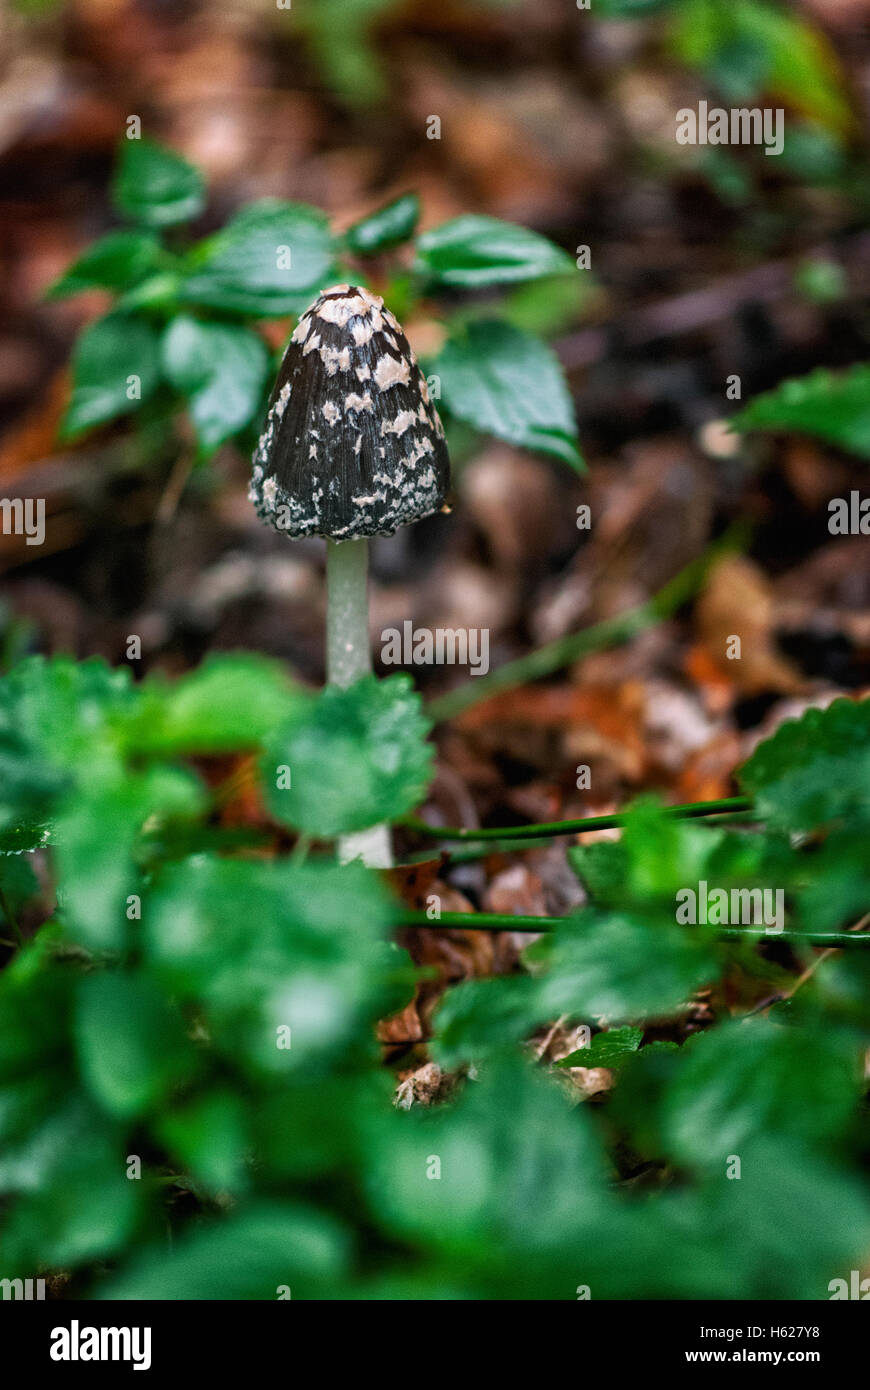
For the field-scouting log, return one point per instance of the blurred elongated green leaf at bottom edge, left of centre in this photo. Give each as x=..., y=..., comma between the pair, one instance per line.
x=249, y=1257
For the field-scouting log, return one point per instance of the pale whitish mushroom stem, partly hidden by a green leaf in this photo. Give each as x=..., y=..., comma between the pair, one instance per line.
x=348, y=661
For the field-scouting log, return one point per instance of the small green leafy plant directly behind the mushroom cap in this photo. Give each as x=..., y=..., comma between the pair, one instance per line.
x=183, y=332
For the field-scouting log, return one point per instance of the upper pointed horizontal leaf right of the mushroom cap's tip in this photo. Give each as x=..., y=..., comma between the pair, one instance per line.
x=473, y=251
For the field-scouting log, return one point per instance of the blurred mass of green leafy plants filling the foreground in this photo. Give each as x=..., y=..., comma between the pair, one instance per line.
x=191, y=1100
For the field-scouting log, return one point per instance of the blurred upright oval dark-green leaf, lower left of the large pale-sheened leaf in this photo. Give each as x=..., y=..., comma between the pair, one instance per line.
x=130, y=1043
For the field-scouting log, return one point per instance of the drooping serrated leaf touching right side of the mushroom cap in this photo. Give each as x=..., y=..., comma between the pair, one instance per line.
x=509, y=384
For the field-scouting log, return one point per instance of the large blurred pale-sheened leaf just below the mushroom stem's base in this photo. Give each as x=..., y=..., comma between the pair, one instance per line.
x=263, y=949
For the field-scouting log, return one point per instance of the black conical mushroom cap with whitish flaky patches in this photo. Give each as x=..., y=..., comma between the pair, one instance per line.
x=352, y=444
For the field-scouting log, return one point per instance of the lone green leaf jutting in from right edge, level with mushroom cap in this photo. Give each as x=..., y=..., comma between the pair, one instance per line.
x=830, y=405
